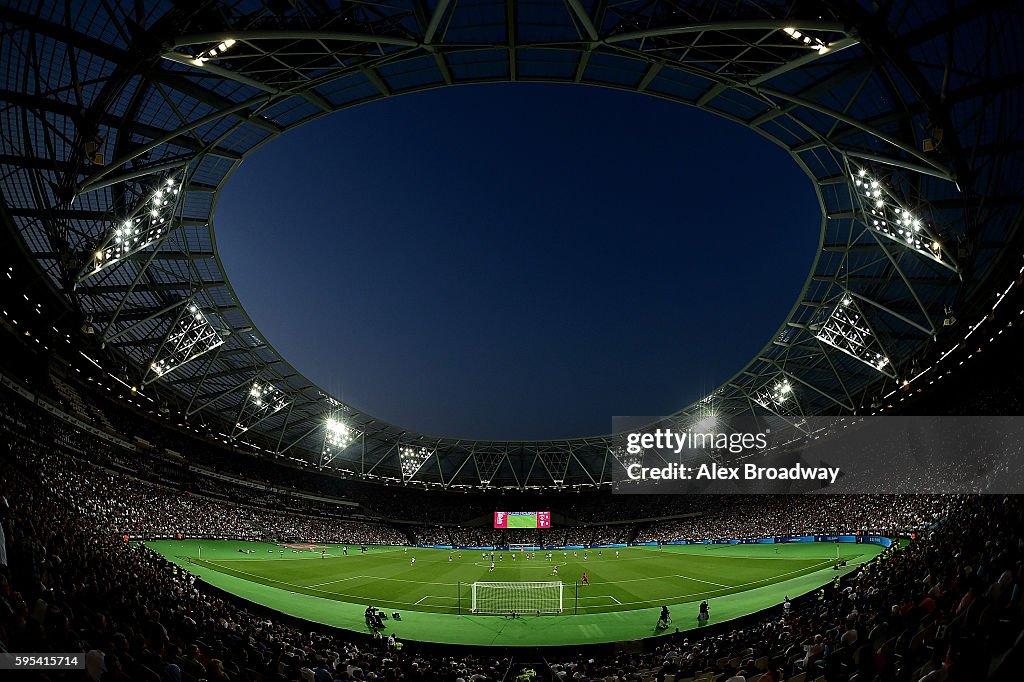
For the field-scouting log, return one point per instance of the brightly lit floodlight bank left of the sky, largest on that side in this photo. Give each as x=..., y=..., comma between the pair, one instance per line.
x=147, y=224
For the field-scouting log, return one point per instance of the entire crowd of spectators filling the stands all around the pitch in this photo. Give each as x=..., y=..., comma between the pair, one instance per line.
x=946, y=609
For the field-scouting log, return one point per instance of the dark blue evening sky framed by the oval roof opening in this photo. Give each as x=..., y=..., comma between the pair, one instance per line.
x=519, y=262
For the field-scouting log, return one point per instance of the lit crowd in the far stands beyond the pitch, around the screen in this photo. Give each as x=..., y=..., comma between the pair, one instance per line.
x=178, y=499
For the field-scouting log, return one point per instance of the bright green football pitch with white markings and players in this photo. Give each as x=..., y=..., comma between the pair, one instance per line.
x=434, y=595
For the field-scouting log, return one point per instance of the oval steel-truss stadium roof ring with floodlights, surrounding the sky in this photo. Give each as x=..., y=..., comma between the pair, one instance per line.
x=121, y=122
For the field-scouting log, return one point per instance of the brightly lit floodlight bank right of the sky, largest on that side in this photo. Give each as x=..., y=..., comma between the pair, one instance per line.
x=886, y=216
